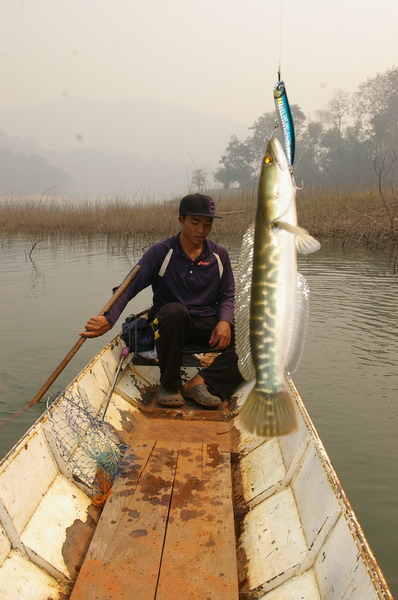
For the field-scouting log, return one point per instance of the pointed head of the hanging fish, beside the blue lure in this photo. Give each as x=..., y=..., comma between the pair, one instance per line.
x=275, y=188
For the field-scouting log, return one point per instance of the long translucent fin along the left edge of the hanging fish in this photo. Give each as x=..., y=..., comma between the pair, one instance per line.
x=242, y=306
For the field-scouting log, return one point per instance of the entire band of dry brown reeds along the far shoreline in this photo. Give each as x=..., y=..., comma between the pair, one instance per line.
x=369, y=217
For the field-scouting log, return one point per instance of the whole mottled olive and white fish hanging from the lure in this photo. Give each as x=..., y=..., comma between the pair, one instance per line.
x=272, y=299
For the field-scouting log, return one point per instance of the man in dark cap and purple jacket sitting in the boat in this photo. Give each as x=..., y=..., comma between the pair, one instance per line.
x=193, y=296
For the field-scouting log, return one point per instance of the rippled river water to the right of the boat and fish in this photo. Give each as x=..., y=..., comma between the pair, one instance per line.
x=348, y=379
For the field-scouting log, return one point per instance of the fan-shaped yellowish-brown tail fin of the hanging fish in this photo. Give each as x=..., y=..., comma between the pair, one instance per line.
x=268, y=414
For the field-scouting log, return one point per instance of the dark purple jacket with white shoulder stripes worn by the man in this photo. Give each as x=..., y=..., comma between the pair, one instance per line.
x=205, y=286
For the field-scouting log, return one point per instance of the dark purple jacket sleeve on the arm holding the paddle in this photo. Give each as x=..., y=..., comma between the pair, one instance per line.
x=150, y=264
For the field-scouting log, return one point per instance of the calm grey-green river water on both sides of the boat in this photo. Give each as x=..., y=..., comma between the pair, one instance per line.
x=348, y=377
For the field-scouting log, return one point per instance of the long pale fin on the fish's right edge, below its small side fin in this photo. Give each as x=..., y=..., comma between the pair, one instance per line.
x=301, y=312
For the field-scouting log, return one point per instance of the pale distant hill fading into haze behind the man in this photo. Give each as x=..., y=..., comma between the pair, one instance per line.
x=120, y=146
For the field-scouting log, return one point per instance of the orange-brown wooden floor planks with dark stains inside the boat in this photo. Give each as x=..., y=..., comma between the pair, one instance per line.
x=167, y=530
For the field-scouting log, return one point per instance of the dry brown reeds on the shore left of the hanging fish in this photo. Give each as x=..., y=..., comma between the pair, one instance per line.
x=116, y=217
